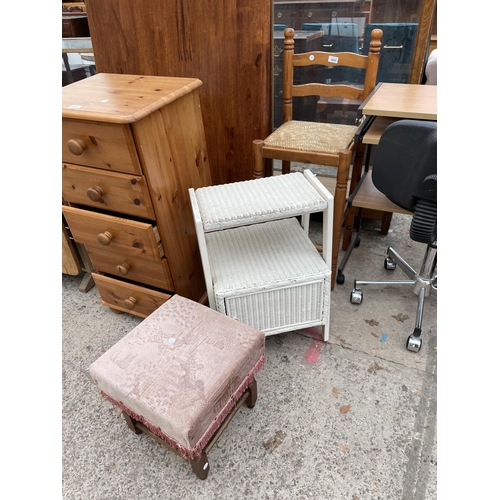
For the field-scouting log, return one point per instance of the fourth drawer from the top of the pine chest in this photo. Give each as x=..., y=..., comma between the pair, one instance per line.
x=156, y=274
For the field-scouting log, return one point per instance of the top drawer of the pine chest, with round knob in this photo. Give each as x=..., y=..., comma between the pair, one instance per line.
x=108, y=146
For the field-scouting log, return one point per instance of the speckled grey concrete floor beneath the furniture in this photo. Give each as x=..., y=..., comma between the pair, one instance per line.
x=351, y=419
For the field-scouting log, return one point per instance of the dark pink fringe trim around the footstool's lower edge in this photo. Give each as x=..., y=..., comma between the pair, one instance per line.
x=187, y=453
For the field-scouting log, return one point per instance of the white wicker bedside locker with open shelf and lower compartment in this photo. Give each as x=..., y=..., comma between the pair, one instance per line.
x=260, y=266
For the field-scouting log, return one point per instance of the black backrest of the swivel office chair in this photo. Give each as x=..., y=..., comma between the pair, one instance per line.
x=405, y=163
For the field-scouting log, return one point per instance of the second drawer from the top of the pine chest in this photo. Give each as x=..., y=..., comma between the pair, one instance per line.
x=112, y=191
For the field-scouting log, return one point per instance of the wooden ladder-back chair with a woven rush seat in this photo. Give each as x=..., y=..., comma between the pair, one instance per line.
x=320, y=143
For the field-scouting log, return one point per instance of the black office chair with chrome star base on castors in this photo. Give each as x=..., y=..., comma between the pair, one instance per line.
x=405, y=170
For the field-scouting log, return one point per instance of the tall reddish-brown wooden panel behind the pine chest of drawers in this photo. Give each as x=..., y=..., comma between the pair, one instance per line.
x=226, y=44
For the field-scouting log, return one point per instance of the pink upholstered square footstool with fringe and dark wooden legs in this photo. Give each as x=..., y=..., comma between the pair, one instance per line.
x=181, y=375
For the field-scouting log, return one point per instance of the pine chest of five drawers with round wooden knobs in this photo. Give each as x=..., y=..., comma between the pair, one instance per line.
x=132, y=146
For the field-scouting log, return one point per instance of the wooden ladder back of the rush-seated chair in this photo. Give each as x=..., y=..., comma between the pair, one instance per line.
x=317, y=59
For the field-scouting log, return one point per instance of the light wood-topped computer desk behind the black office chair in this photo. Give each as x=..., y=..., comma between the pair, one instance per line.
x=387, y=103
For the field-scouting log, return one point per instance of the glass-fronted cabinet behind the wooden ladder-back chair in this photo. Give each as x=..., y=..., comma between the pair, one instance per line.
x=344, y=26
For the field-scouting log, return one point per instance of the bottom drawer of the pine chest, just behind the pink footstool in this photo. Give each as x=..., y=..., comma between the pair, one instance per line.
x=125, y=297
